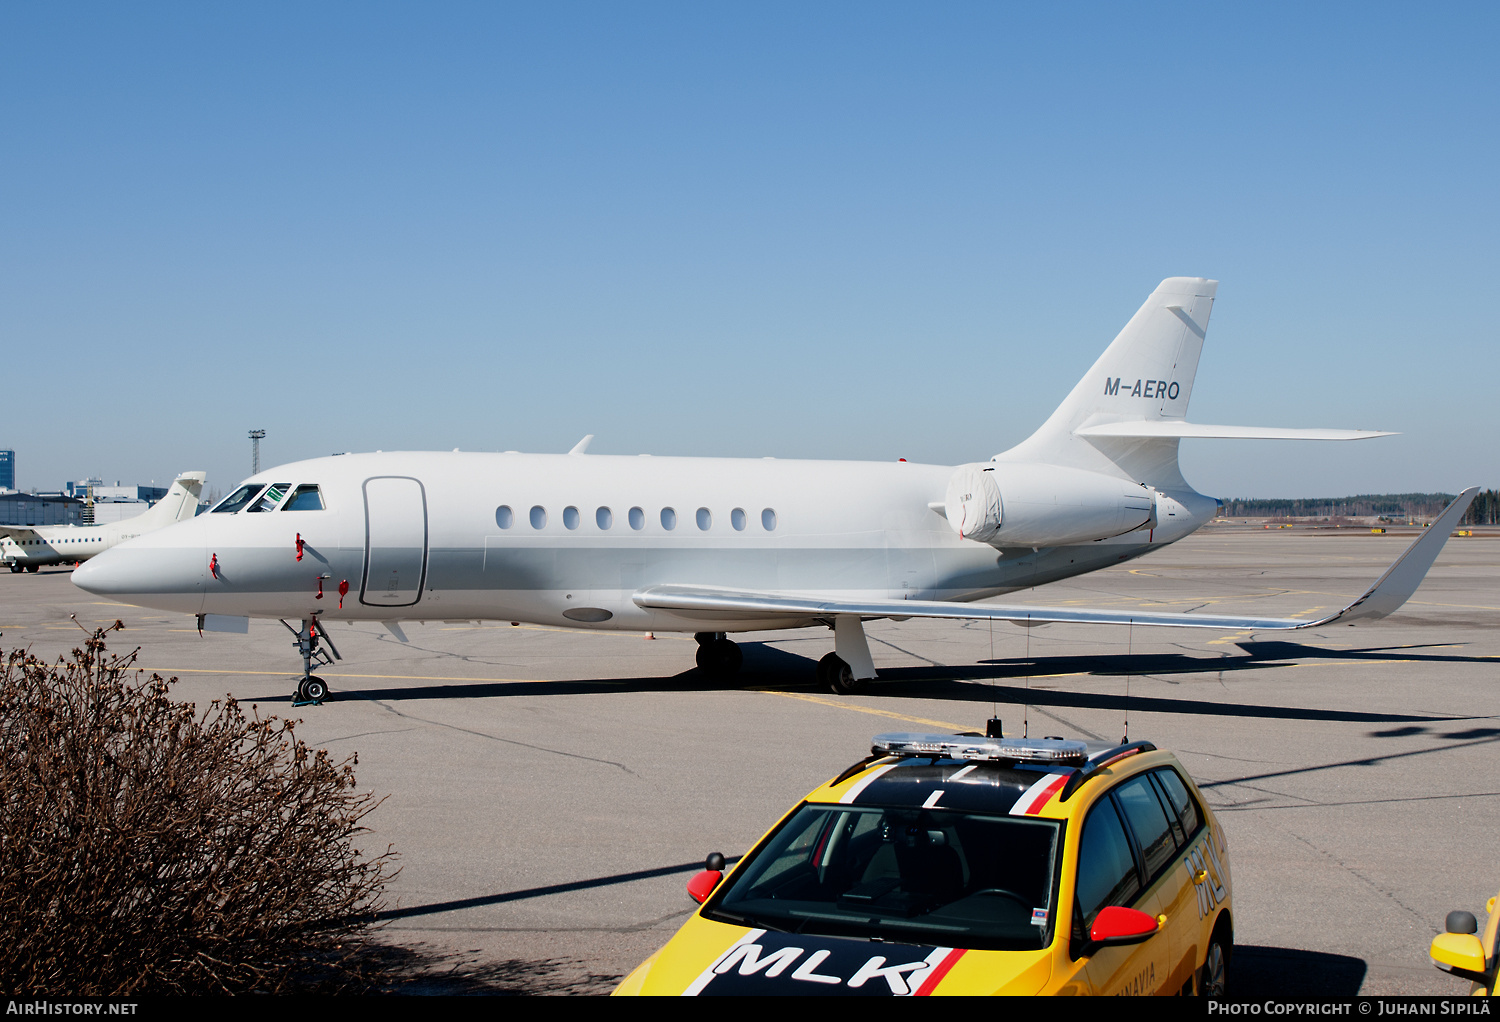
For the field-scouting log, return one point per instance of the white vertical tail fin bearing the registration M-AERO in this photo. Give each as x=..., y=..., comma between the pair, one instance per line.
x=1144, y=377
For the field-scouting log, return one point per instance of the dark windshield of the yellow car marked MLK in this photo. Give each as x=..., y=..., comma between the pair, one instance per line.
x=917, y=876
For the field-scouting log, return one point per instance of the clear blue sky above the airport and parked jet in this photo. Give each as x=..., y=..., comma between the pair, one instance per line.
x=820, y=230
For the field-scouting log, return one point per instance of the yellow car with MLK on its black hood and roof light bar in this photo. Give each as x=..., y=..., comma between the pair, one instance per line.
x=970, y=865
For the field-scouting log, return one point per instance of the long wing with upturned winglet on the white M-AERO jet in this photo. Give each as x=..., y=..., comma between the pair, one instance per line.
x=1381, y=600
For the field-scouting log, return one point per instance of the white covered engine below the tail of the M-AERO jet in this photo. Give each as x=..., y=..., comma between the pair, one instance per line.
x=1027, y=505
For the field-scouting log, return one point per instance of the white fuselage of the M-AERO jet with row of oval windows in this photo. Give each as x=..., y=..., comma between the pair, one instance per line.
x=569, y=540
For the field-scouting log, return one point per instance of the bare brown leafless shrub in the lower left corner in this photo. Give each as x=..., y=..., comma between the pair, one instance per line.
x=149, y=850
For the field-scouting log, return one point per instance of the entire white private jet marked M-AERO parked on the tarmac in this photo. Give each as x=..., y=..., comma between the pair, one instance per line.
x=727, y=546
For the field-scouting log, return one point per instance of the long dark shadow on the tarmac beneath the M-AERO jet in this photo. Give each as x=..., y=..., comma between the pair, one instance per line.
x=775, y=669
